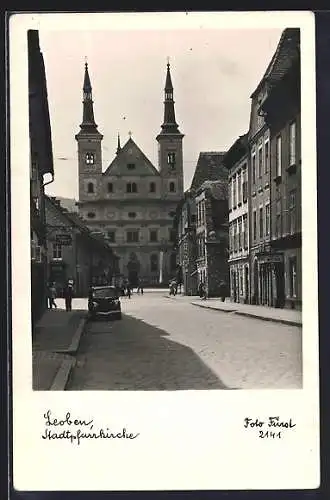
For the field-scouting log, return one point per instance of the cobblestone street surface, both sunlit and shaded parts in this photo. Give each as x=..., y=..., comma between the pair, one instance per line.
x=166, y=344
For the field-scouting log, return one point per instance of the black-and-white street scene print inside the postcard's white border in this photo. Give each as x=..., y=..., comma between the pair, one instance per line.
x=166, y=210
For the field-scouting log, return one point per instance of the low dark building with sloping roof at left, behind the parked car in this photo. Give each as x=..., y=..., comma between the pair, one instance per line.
x=75, y=253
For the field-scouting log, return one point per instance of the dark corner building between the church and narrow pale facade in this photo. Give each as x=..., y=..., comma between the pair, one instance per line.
x=212, y=236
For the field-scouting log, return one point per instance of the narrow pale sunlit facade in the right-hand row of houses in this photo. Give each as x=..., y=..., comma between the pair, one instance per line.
x=236, y=161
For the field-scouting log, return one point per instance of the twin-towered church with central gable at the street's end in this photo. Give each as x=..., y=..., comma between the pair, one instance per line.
x=131, y=202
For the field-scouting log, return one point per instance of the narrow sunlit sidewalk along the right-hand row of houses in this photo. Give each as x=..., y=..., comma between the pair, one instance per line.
x=285, y=316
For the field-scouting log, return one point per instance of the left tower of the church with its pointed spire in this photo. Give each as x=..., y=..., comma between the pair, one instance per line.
x=89, y=148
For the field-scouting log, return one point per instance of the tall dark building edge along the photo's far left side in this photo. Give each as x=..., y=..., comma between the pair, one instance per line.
x=41, y=167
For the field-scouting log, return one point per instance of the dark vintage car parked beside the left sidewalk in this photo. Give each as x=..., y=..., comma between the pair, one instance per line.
x=104, y=302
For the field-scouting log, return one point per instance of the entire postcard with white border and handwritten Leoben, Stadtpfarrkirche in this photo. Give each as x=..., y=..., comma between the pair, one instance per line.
x=163, y=171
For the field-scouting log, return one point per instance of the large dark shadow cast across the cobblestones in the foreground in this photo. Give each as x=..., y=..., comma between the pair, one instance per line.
x=133, y=355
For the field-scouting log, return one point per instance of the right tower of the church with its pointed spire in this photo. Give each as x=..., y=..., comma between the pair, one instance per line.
x=170, y=154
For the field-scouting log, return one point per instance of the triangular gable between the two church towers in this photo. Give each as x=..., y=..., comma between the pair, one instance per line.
x=131, y=161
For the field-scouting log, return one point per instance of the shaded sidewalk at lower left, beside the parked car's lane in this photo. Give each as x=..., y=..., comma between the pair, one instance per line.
x=56, y=338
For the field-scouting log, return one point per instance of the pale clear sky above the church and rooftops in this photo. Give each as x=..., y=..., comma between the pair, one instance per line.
x=213, y=72
